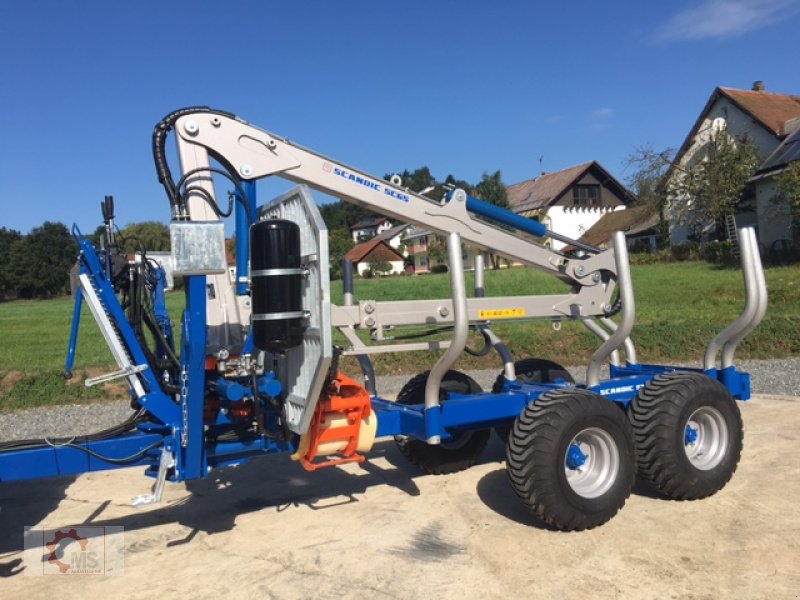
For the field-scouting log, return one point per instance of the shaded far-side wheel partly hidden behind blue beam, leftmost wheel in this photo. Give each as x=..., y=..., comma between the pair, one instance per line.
x=451, y=456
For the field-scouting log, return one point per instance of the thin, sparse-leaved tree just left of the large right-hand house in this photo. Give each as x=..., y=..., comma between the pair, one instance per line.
x=649, y=183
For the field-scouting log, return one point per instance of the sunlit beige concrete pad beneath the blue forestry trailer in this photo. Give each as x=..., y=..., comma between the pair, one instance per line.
x=269, y=529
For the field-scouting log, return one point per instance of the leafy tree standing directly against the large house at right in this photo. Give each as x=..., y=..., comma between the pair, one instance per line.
x=714, y=186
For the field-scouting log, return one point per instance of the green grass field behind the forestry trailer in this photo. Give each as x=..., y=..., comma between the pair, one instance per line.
x=680, y=307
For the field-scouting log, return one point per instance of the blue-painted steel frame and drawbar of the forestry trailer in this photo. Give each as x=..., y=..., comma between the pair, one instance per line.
x=177, y=425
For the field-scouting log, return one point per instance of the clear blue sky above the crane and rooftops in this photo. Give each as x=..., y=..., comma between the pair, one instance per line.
x=463, y=87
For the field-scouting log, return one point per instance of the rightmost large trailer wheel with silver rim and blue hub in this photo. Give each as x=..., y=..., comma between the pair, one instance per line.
x=688, y=434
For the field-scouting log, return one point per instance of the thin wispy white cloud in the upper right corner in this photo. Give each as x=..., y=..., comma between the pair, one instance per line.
x=724, y=18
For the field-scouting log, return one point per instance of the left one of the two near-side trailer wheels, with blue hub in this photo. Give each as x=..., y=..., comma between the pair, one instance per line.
x=570, y=459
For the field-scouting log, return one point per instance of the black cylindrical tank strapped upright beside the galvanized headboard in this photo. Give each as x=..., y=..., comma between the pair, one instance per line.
x=276, y=277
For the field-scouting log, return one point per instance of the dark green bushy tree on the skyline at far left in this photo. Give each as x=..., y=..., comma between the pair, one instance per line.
x=40, y=261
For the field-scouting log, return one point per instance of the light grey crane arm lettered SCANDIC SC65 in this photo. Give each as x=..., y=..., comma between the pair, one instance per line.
x=253, y=153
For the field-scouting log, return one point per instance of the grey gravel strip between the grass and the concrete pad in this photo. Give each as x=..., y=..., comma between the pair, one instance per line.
x=775, y=377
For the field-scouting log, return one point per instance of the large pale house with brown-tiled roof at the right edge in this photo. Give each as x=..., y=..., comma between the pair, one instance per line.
x=767, y=120
